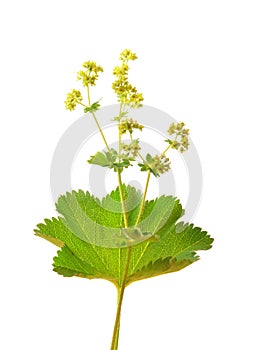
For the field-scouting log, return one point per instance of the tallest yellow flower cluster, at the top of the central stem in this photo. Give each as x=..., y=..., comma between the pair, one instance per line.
x=126, y=93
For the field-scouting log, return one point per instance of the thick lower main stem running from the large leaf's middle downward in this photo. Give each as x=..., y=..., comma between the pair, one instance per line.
x=114, y=343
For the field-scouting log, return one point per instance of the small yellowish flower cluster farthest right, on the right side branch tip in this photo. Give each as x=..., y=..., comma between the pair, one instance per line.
x=181, y=140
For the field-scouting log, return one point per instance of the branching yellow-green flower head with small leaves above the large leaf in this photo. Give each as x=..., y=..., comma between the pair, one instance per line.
x=128, y=98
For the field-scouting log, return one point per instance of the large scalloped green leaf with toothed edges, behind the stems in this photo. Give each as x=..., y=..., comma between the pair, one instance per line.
x=94, y=243
